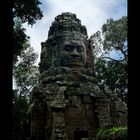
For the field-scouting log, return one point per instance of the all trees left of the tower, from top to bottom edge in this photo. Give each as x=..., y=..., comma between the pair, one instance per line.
x=25, y=73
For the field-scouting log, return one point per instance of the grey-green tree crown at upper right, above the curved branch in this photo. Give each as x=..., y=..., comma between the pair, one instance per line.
x=115, y=34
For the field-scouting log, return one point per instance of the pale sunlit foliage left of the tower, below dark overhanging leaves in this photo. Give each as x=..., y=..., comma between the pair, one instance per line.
x=25, y=72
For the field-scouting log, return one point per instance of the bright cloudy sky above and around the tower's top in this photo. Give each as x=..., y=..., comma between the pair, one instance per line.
x=92, y=13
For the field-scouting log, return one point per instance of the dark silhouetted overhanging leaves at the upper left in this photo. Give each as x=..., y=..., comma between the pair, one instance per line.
x=23, y=11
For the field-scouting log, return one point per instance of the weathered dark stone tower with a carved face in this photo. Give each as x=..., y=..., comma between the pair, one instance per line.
x=67, y=104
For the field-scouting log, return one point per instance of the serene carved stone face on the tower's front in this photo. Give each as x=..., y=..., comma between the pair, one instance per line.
x=73, y=54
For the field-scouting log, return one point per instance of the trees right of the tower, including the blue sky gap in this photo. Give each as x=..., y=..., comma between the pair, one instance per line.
x=111, y=71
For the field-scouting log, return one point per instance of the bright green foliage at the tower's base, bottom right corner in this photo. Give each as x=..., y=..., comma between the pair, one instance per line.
x=114, y=133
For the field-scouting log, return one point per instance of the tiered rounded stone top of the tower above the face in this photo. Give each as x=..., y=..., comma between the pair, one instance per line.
x=67, y=23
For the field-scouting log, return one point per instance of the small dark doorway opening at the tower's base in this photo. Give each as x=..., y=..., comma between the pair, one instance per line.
x=80, y=134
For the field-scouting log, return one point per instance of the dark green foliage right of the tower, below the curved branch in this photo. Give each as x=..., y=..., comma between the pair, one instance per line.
x=114, y=76
